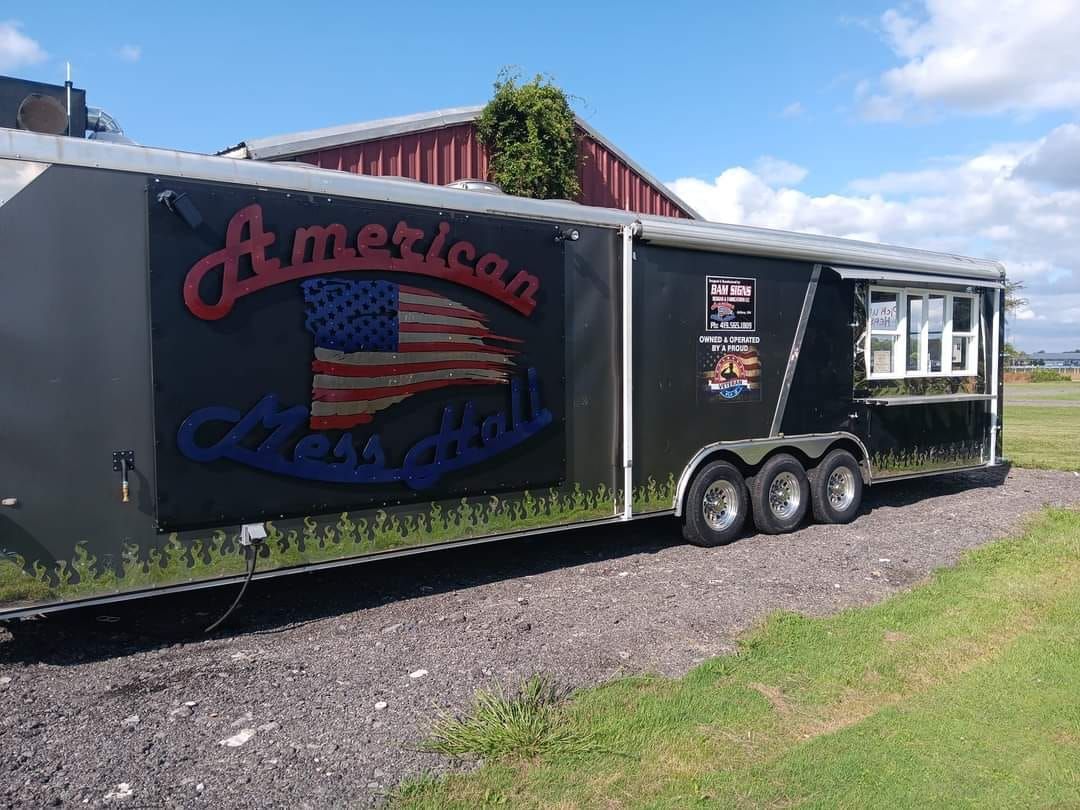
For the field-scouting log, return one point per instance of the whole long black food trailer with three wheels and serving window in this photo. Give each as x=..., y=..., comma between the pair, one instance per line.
x=199, y=352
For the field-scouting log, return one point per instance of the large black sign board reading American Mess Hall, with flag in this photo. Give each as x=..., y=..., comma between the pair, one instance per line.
x=316, y=355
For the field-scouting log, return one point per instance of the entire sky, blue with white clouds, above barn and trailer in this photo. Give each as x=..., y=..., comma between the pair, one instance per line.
x=871, y=119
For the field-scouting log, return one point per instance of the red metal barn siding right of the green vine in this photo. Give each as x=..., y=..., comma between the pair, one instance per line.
x=609, y=182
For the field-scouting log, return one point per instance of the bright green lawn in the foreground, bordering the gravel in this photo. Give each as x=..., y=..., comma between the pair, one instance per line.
x=962, y=693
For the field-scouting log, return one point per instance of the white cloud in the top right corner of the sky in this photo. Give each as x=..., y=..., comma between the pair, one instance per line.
x=979, y=57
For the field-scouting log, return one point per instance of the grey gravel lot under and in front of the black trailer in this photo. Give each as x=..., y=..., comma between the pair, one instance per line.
x=320, y=690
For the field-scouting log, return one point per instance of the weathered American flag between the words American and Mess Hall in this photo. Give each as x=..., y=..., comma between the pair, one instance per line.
x=379, y=343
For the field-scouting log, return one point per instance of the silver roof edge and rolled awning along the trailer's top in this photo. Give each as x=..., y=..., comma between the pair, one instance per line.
x=21, y=145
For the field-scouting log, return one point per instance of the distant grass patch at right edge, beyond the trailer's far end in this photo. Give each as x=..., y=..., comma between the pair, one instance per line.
x=1043, y=438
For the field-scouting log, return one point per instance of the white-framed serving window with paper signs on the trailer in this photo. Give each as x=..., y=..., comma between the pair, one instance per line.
x=922, y=333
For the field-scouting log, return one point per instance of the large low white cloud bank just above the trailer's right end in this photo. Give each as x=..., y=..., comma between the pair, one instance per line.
x=984, y=206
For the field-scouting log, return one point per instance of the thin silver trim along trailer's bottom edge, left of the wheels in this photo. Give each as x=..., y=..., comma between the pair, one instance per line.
x=307, y=569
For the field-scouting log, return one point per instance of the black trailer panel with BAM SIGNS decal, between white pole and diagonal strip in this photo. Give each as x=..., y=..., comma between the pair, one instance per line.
x=712, y=337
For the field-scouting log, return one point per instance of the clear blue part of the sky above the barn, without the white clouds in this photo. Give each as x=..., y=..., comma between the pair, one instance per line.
x=686, y=93
